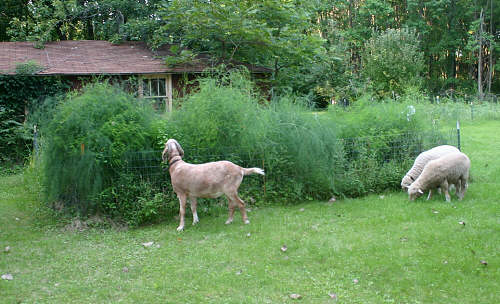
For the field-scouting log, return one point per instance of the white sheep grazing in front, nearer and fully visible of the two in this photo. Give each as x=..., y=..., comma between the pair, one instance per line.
x=452, y=168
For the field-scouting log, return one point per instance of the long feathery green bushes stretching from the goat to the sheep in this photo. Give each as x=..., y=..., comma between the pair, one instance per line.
x=347, y=152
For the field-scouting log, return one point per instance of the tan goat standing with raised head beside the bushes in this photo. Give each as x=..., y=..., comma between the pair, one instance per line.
x=209, y=180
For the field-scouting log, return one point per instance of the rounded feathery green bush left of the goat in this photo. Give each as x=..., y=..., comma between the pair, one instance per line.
x=85, y=143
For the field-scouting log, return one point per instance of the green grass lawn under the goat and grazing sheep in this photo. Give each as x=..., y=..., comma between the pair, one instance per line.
x=377, y=249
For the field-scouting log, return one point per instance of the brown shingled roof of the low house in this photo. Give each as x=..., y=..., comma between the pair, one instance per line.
x=94, y=57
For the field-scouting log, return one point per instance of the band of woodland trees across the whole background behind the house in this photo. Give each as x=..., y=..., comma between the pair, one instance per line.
x=316, y=48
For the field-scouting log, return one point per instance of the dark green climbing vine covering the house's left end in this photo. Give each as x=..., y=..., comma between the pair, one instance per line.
x=20, y=94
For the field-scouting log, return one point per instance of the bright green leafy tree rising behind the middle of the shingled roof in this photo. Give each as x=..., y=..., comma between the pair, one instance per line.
x=274, y=33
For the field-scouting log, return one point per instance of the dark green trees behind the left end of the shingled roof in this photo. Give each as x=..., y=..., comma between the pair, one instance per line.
x=50, y=20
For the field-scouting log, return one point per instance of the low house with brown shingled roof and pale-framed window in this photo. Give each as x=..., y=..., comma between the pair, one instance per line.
x=78, y=60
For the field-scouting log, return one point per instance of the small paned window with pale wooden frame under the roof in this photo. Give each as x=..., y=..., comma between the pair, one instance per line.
x=158, y=89
